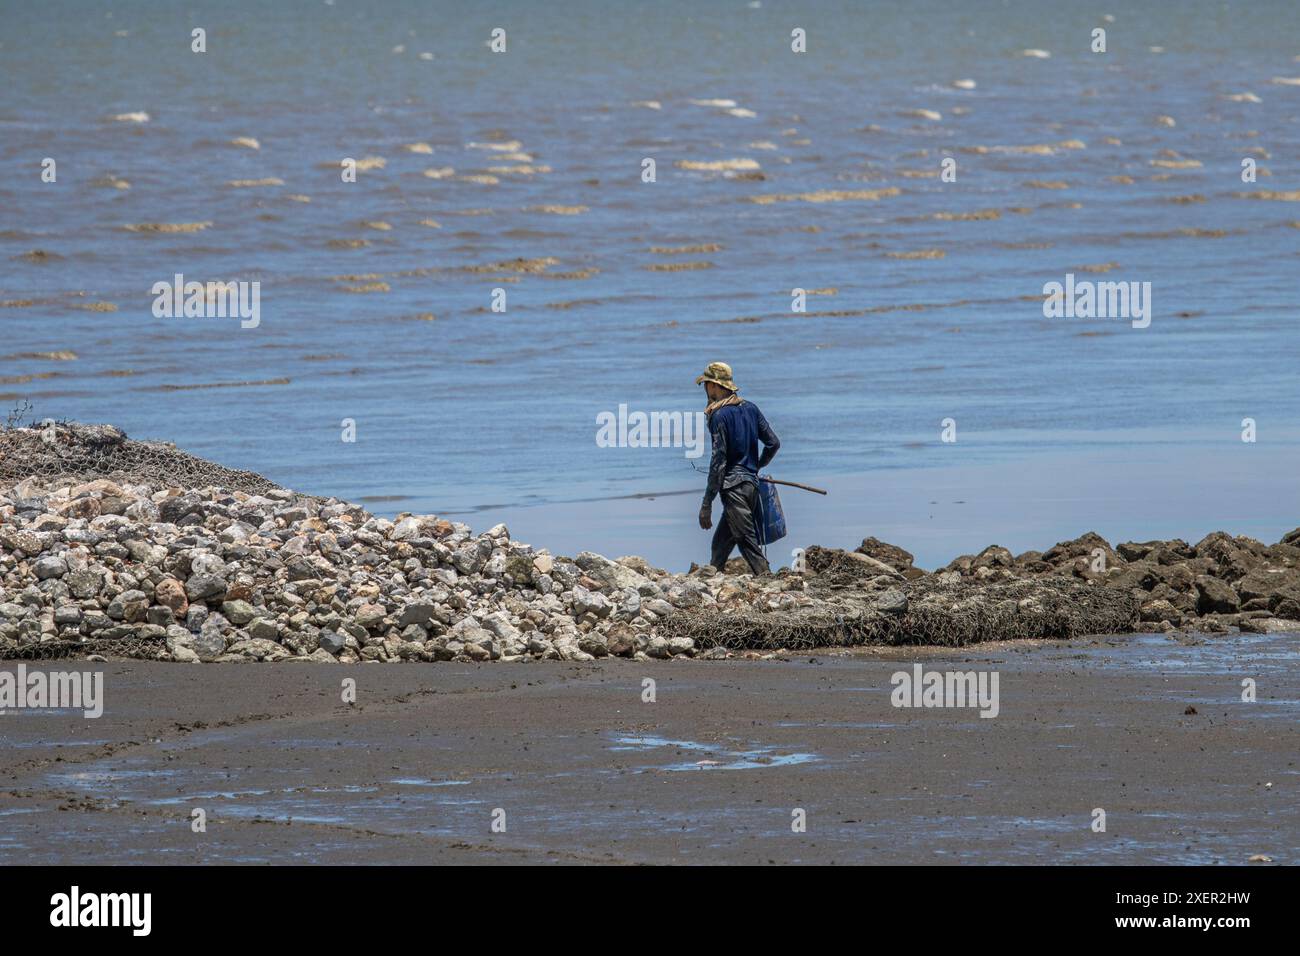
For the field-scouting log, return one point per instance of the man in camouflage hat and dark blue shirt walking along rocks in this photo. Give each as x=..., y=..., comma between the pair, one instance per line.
x=736, y=427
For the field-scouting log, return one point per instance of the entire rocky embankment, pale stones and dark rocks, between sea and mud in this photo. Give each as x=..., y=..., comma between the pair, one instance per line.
x=149, y=552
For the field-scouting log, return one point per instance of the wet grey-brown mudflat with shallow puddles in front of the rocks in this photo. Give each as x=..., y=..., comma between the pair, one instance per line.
x=586, y=772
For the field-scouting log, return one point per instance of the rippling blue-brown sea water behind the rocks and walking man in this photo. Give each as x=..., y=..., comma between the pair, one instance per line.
x=461, y=410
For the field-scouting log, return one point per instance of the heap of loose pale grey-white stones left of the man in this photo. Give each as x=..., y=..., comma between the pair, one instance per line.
x=226, y=576
